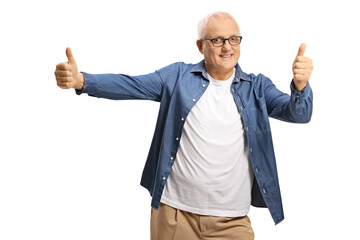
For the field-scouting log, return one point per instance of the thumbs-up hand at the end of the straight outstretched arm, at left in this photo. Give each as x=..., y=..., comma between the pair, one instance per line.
x=67, y=74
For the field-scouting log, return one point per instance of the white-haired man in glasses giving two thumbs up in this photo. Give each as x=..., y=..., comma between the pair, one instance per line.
x=212, y=155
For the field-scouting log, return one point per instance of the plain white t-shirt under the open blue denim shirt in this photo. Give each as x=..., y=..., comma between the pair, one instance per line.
x=212, y=174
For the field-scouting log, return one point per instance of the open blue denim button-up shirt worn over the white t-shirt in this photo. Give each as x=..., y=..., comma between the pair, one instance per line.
x=178, y=87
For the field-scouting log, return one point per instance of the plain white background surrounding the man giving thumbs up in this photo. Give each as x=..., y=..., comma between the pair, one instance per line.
x=70, y=166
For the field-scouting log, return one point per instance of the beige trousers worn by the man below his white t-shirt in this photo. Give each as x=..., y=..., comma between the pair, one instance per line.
x=169, y=223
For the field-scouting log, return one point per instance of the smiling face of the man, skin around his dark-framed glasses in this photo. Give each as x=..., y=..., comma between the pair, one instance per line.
x=220, y=61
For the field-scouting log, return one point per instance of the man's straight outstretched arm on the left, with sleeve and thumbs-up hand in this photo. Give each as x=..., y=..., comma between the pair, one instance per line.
x=111, y=86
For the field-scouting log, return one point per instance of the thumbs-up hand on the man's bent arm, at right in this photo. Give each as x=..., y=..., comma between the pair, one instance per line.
x=302, y=68
